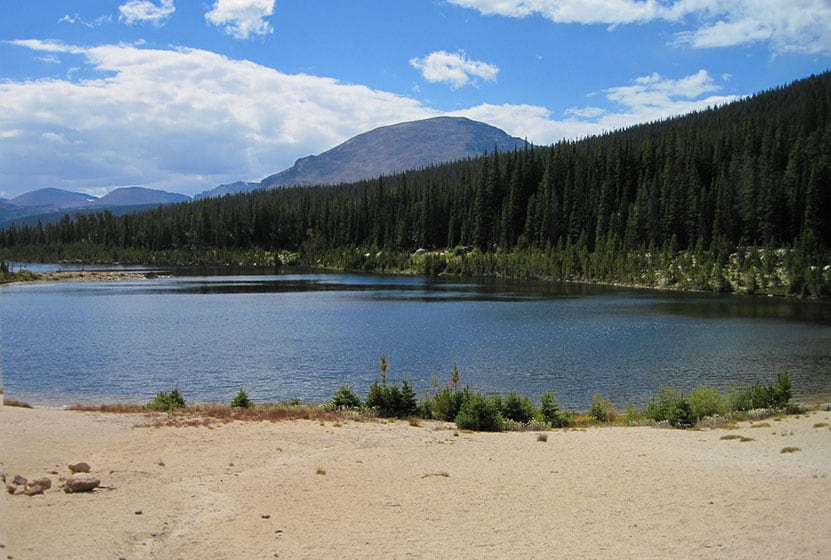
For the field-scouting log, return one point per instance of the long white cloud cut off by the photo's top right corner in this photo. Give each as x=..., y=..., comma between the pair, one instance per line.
x=801, y=26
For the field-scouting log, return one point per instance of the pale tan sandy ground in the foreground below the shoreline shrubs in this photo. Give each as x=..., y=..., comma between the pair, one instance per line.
x=303, y=489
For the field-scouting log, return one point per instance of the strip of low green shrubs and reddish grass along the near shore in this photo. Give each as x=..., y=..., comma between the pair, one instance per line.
x=471, y=409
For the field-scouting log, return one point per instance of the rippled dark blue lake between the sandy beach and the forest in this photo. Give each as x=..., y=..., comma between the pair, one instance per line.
x=286, y=336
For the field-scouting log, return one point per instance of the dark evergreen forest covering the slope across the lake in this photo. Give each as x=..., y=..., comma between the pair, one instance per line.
x=733, y=198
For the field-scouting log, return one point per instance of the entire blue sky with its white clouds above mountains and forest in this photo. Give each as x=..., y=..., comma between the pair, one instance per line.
x=184, y=96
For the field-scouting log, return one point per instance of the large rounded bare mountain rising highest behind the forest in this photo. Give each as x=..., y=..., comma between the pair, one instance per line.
x=394, y=148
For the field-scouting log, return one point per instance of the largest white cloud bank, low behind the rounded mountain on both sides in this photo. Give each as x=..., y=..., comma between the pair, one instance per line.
x=187, y=120
